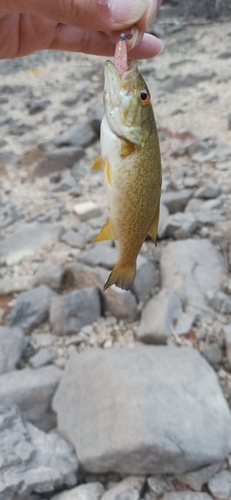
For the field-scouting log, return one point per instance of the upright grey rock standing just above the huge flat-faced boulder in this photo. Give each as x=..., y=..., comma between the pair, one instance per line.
x=159, y=317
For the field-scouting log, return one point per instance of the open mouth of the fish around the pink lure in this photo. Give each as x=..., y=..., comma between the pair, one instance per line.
x=114, y=81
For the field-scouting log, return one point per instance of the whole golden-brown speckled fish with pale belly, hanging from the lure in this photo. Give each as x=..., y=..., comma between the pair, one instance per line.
x=130, y=159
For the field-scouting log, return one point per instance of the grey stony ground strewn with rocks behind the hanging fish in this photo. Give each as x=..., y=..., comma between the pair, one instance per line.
x=146, y=421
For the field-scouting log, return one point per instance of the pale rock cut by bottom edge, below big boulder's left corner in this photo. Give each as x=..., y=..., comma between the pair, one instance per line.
x=90, y=491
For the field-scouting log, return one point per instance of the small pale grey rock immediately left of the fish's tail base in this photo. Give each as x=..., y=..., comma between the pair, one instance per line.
x=101, y=254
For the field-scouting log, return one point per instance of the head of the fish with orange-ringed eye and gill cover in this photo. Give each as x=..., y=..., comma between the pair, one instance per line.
x=127, y=103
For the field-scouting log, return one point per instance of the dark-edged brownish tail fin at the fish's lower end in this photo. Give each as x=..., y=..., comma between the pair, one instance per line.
x=121, y=276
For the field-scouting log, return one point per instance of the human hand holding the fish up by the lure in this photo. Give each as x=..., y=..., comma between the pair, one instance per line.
x=89, y=26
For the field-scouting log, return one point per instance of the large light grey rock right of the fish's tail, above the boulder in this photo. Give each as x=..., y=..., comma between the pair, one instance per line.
x=191, y=268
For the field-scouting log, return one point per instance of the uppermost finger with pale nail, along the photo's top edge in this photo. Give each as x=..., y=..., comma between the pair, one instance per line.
x=104, y=15
